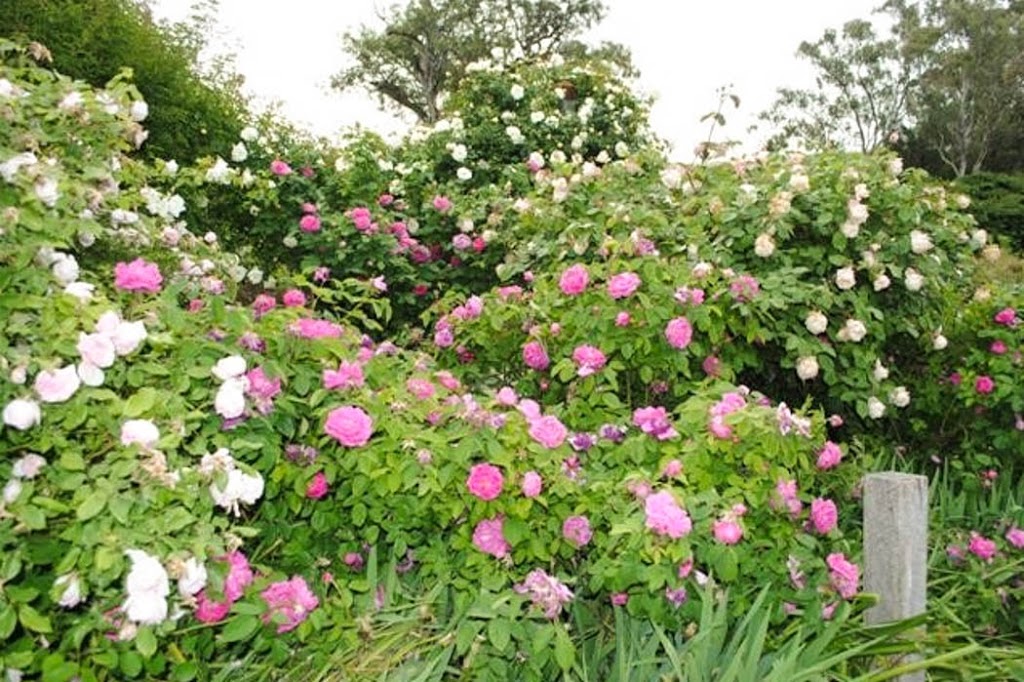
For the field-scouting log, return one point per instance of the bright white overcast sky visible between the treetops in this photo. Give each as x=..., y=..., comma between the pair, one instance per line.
x=686, y=51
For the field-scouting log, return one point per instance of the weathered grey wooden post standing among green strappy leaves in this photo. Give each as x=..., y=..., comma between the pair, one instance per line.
x=897, y=548
